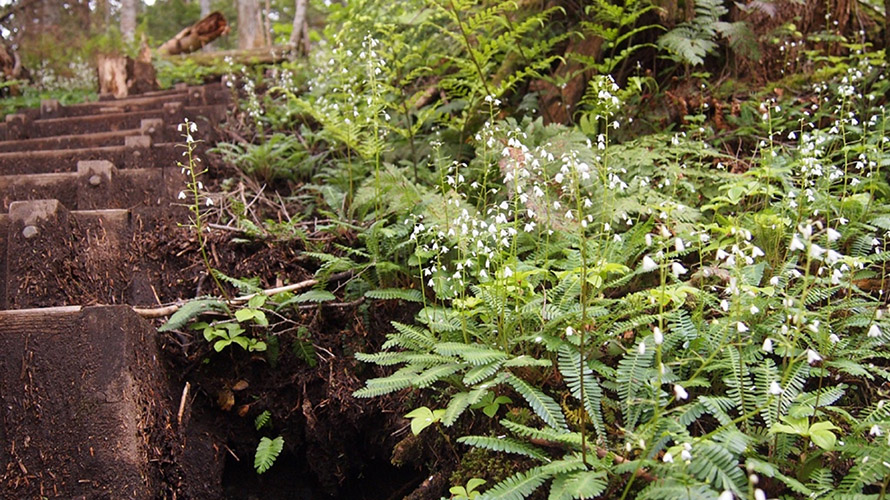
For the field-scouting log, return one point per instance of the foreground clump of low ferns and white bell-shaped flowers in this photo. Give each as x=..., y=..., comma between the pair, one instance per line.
x=666, y=350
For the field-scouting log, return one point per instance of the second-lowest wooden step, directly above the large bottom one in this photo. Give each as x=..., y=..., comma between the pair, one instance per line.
x=53, y=254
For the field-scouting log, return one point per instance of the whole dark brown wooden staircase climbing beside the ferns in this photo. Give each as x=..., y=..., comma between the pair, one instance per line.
x=86, y=409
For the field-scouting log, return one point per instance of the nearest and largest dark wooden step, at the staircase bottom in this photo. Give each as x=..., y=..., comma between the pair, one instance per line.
x=85, y=411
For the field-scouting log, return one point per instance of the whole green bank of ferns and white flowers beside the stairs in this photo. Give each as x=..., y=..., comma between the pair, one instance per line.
x=678, y=322
